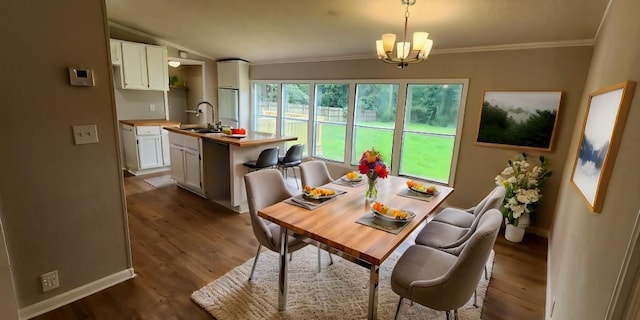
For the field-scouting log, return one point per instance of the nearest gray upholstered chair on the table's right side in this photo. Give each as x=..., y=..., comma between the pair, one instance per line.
x=443, y=281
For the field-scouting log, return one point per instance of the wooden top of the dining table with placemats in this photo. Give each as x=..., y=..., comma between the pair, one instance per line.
x=334, y=224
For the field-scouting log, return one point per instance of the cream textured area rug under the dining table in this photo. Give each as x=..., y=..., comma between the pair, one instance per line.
x=338, y=291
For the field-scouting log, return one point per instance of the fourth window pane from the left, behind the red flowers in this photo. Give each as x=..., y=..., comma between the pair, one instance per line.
x=374, y=119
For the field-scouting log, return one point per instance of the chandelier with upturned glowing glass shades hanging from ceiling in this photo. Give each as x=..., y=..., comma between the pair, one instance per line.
x=405, y=53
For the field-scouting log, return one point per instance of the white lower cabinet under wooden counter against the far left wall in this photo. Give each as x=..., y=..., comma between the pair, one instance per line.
x=143, y=149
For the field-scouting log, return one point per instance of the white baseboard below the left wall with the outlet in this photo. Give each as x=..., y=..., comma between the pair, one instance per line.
x=62, y=299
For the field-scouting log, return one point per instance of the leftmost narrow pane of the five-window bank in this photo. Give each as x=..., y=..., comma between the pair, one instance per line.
x=265, y=99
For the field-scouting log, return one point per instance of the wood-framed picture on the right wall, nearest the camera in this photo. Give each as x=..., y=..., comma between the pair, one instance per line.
x=601, y=134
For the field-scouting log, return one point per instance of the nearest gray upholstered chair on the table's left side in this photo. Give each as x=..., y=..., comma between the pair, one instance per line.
x=264, y=188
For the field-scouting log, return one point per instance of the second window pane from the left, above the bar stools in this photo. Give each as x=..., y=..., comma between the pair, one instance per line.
x=295, y=111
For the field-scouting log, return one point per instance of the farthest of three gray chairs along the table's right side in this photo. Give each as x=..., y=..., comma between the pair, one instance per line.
x=465, y=217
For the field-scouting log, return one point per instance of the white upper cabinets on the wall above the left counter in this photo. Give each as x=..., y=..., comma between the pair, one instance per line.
x=143, y=67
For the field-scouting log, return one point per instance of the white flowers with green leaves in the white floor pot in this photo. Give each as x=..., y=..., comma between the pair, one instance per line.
x=523, y=183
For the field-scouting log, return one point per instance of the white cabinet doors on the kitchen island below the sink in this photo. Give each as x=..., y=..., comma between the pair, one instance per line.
x=186, y=161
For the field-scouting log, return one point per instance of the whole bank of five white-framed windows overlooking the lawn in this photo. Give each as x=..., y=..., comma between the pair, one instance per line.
x=415, y=124
